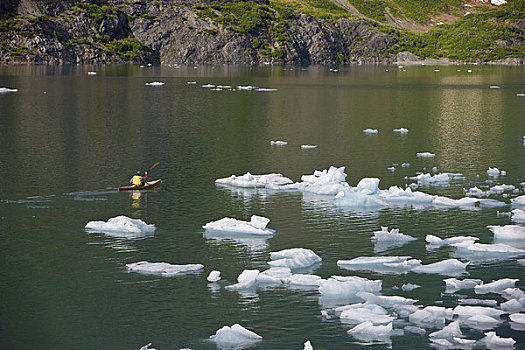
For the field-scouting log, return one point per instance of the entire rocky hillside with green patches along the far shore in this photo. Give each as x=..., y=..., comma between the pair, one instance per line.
x=256, y=32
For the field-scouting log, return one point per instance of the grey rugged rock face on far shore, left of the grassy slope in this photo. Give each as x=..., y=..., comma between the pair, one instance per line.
x=173, y=33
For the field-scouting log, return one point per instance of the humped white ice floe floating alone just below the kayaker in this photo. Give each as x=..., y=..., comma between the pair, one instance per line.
x=121, y=226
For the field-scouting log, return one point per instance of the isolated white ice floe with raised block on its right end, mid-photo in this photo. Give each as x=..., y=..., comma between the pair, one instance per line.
x=256, y=226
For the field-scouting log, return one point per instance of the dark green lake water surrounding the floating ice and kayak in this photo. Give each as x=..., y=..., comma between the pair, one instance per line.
x=69, y=139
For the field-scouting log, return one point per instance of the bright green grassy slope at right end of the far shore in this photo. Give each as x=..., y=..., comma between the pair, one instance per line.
x=483, y=36
